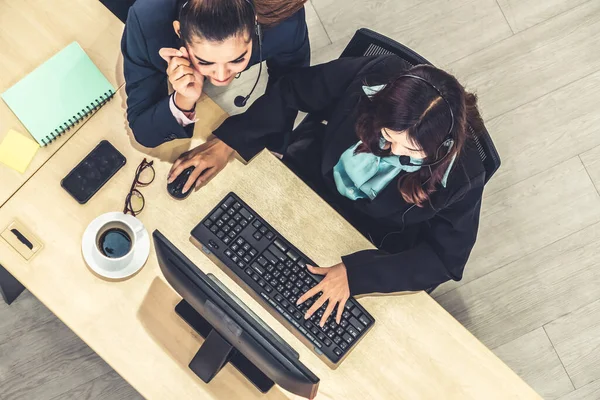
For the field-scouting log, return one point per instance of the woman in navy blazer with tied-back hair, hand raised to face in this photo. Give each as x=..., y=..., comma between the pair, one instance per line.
x=184, y=42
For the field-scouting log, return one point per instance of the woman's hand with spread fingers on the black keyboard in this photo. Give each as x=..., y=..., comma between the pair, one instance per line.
x=335, y=288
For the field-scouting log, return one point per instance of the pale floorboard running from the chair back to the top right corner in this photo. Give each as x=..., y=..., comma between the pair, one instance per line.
x=534, y=62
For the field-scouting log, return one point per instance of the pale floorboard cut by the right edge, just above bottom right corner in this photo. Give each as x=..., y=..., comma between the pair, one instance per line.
x=576, y=337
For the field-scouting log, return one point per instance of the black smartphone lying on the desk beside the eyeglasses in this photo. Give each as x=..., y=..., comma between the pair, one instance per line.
x=93, y=172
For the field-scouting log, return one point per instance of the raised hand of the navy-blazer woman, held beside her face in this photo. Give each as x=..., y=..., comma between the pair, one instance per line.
x=185, y=79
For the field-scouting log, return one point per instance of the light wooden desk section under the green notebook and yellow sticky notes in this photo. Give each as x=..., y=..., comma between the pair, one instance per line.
x=34, y=30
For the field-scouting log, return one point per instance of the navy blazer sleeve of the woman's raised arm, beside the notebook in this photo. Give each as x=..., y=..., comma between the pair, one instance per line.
x=148, y=112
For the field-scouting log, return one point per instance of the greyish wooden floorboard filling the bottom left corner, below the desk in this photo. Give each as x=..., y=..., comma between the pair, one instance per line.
x=46, y=362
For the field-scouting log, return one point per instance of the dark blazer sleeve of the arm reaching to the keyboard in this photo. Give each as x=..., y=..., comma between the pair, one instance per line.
x=439, y=255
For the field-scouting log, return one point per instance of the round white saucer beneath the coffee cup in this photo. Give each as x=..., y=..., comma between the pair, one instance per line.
x=98, y=263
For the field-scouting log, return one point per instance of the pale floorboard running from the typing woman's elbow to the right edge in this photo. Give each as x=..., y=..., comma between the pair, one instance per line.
x=530, y=215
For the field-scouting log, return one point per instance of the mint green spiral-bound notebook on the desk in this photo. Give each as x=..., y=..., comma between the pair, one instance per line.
x=59, y=94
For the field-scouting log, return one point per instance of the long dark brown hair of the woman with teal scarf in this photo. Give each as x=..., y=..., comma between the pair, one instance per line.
x=411, y=105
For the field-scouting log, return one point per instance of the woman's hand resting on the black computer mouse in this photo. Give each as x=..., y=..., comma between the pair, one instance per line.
x=208, y=159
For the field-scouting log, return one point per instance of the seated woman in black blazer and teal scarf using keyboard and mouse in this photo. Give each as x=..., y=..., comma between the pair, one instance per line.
x=395, y=158
